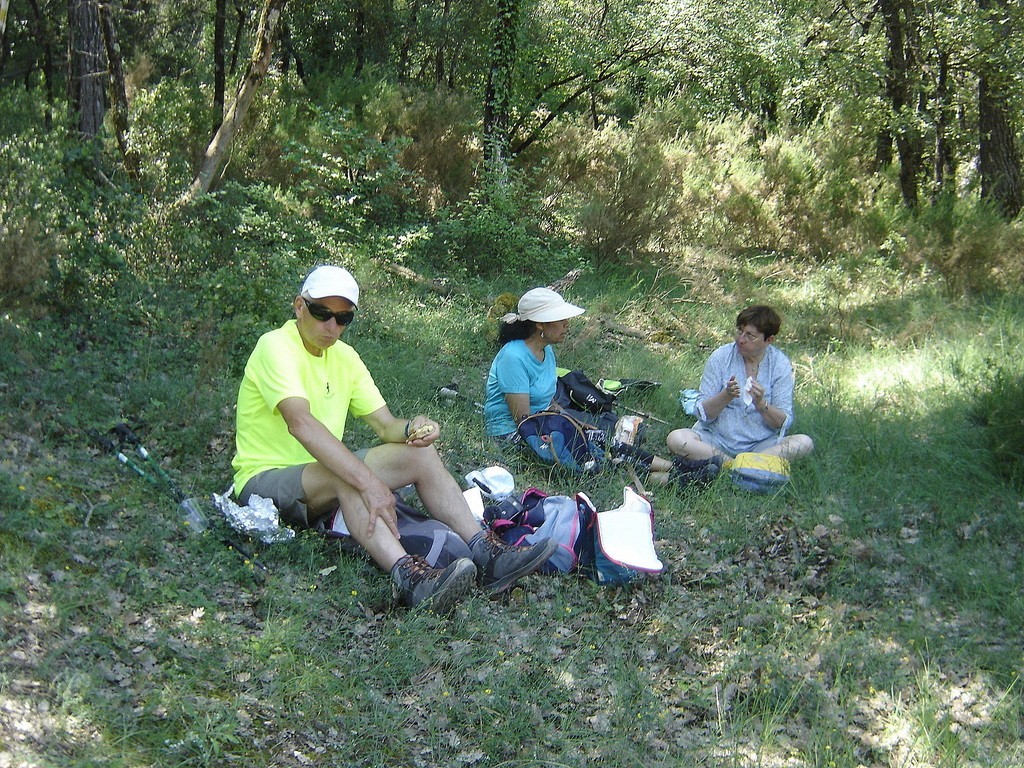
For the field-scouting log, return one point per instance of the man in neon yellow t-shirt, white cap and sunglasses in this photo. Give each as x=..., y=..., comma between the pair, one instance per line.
x=301, y=385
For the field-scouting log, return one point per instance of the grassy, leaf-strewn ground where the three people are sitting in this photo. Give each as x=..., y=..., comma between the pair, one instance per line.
x=871, y=615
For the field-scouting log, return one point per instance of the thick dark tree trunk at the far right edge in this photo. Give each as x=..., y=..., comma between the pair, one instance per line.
x=1000, y=162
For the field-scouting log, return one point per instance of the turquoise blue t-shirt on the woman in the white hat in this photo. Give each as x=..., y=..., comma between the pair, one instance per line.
x=517, y=371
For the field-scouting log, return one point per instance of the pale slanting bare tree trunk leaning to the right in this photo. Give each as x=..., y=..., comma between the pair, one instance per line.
x=259, y=65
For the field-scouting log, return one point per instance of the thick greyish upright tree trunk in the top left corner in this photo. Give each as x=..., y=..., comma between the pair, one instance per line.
x=88, y=70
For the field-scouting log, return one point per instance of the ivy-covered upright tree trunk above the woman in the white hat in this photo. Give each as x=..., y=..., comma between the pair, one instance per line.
x=498, y=99
